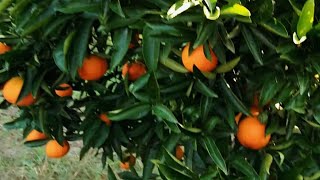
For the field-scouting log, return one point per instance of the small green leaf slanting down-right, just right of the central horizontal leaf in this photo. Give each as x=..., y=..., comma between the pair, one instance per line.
x=164, y=112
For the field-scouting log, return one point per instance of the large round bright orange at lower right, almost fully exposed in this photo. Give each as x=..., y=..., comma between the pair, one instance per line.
x=251, y=133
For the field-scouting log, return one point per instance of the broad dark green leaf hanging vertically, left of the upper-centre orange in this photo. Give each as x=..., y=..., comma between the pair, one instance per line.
x=150, y=49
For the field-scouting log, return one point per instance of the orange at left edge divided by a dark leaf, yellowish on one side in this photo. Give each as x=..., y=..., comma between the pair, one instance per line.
x=11, y=91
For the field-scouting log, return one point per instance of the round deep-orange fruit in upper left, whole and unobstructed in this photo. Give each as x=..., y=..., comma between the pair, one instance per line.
x=93, y=68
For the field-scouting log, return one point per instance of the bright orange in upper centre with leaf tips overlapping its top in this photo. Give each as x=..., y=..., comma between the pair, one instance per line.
x=198, y=59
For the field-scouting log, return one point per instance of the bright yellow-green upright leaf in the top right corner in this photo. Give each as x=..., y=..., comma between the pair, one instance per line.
x=306, y=18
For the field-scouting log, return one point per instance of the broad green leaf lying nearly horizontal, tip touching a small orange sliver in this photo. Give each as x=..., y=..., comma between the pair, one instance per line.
x=133, y=112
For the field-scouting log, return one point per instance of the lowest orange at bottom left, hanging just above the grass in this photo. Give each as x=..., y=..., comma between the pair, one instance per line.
x=55, y=150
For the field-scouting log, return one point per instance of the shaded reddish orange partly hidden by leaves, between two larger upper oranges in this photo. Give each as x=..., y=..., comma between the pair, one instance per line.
x=134, y=70
